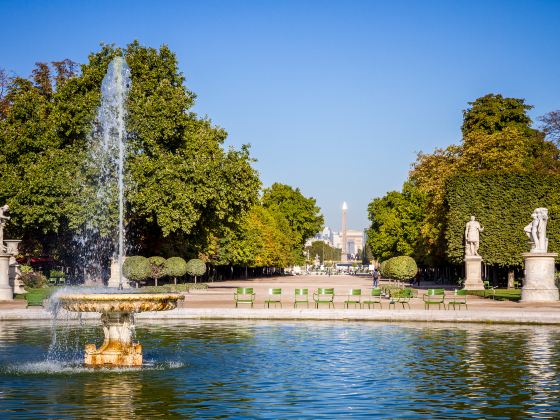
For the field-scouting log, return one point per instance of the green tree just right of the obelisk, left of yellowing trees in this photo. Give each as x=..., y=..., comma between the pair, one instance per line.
x=395, y=223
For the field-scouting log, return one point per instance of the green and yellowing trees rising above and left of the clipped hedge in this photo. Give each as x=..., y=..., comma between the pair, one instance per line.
x=497, y=138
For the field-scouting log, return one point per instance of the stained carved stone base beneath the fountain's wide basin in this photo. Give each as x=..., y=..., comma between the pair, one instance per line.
x=117, y=348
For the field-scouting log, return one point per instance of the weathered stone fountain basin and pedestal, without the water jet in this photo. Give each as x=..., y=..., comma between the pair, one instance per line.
x=117, y=315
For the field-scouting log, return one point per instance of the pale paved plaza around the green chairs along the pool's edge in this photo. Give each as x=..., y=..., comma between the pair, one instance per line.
x=217, y=303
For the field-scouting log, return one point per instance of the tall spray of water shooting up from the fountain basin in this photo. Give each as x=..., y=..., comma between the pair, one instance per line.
x=103, y=236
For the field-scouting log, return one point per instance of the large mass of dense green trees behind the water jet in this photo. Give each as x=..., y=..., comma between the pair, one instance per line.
x=182, y=185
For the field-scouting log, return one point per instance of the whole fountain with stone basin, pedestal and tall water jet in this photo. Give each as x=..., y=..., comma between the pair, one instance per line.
x=117, y=309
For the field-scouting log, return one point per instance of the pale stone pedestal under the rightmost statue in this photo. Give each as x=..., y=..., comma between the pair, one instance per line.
x=539, y=278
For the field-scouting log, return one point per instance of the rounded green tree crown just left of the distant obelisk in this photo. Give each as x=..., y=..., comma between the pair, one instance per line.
x=302, y=214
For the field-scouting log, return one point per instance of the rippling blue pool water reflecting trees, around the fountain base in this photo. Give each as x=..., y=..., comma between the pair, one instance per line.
x=286, y=370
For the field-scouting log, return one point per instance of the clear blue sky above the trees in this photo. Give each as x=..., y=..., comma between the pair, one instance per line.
x=335, y=98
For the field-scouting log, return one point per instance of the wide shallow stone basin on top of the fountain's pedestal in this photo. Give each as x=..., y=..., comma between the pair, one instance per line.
x=119, y=302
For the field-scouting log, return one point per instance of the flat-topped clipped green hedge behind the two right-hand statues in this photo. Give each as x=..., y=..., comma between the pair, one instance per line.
x=502, y=203
